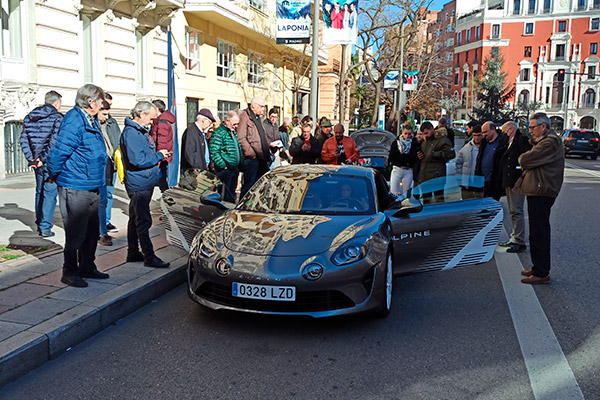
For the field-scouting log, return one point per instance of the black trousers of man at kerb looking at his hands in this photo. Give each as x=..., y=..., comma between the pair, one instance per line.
x=140, y=221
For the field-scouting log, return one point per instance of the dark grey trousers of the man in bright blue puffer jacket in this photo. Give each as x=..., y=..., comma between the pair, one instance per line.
x=79, y=210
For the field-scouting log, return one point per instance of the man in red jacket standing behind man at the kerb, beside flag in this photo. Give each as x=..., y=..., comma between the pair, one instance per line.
x=162, y=134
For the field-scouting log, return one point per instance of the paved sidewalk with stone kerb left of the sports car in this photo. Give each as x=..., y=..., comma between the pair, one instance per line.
x=40, y=317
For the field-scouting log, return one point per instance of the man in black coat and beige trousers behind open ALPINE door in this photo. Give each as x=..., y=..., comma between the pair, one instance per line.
x=509, y=173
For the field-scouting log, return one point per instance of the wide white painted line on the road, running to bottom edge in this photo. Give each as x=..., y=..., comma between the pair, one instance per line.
x=549, y=372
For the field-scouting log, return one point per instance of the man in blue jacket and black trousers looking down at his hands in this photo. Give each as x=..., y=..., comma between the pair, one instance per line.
x=141, y=160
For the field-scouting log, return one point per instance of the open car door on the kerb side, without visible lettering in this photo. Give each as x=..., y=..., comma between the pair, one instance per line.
x=185, y=212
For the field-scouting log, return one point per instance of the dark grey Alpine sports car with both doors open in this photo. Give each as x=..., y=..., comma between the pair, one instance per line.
x=323, y=240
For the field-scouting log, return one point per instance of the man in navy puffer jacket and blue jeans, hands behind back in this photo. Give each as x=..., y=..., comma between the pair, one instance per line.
x=40, y=129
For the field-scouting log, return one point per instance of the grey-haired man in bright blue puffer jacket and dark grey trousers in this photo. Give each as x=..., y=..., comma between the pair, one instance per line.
x=77, y=163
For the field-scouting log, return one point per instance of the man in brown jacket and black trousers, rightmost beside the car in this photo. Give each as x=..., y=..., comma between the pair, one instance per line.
x=543, y=172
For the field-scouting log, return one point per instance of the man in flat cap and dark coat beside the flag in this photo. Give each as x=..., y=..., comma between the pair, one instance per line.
x=195, y=151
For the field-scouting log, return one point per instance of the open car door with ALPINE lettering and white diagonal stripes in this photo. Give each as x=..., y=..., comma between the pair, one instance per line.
x=454, y=228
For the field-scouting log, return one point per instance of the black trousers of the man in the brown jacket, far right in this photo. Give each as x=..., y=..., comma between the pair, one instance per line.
x=538, y=208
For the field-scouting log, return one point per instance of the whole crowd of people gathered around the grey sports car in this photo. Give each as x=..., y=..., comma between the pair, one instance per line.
x=74, y=157
